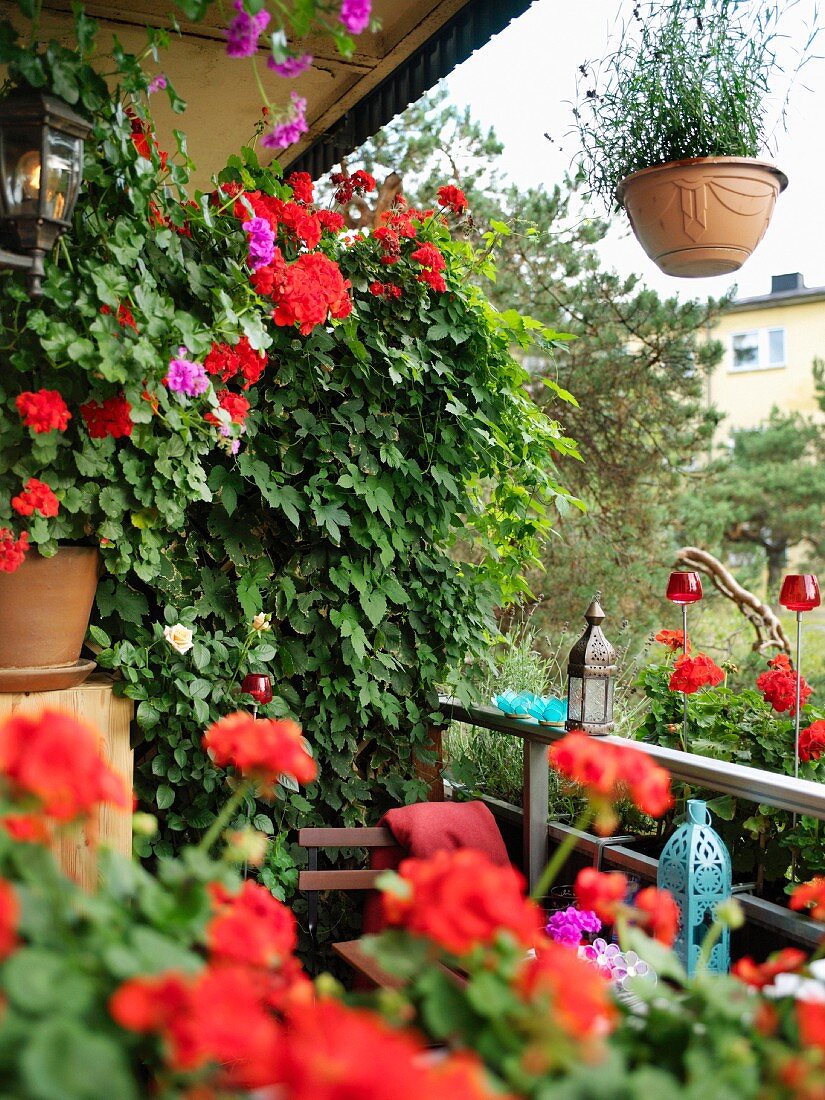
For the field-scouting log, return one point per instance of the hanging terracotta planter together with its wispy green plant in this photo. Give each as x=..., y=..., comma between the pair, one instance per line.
x=673, y=127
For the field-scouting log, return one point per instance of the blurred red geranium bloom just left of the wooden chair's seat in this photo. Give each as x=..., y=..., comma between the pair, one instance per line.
x=252, y=928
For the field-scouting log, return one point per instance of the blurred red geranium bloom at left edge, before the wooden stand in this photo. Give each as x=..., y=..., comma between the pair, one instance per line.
x=57, y=761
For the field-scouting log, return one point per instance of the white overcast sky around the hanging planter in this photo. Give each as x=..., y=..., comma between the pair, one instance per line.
x=523, y=84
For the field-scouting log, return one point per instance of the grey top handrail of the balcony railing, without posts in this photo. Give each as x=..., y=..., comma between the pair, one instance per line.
x=754, y=785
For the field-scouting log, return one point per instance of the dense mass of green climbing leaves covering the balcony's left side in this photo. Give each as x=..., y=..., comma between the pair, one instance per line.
x=394, y=481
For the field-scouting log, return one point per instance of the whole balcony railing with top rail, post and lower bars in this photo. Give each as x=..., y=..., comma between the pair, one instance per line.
x=753, y=785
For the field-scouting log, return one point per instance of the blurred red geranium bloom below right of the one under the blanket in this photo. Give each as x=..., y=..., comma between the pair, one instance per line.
x=576, y=995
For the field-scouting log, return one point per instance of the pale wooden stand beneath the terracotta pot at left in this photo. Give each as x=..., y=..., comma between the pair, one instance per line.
x=95, y=703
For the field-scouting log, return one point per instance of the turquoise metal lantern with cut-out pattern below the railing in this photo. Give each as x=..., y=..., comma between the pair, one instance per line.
x=696, y=868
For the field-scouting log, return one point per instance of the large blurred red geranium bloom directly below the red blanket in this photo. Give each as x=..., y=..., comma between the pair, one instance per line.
x=461, y=900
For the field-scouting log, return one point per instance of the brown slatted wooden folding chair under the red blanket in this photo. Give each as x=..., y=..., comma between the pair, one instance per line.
x=312, y=882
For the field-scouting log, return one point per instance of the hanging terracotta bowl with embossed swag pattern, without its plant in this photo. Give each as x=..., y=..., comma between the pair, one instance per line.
x=701, y=217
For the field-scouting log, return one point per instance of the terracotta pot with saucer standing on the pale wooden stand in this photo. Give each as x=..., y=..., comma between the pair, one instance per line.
x=45, y=614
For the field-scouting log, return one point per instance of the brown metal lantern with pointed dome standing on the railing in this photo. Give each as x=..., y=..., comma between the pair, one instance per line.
x=591, y=675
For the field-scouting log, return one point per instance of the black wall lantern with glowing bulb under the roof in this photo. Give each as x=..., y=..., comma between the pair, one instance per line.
x=41, y=170
